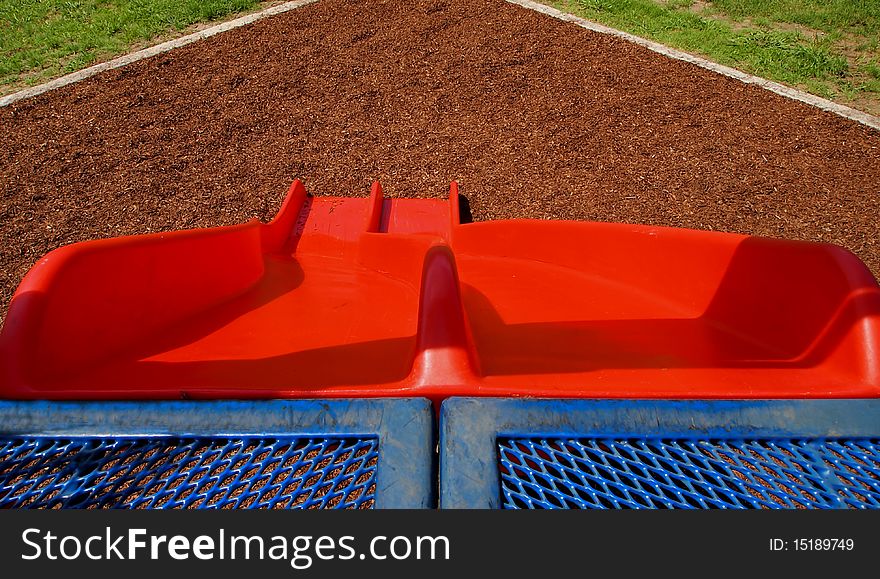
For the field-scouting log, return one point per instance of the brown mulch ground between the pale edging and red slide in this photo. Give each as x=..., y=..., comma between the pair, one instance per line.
x=534, y=117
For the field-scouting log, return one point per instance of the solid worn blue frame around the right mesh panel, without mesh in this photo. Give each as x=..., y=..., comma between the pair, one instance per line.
x=472, y=427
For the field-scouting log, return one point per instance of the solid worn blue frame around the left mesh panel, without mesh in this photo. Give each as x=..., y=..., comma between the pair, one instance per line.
x=405, y=475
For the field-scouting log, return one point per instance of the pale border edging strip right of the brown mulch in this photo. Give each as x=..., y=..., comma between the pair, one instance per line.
x=780, y=89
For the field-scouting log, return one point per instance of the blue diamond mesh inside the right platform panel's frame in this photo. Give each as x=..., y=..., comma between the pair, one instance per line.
x=636, y=473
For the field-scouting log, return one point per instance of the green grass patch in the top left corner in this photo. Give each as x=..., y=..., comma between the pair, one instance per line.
x=40, y=39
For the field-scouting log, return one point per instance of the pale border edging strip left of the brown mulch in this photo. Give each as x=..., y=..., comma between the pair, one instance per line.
x=148, y=52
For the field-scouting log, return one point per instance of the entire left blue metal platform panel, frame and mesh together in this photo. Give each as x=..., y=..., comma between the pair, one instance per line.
x=275, y=454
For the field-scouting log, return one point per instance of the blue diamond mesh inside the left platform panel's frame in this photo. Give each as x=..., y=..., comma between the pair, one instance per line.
x=170, y=472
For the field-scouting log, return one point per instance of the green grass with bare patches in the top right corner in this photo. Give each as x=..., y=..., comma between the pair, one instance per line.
x=828, y=47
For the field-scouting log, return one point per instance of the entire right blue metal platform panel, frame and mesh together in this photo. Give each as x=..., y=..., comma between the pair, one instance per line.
x=659, y=454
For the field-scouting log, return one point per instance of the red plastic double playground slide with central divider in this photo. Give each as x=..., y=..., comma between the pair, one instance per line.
x=341, y=297
